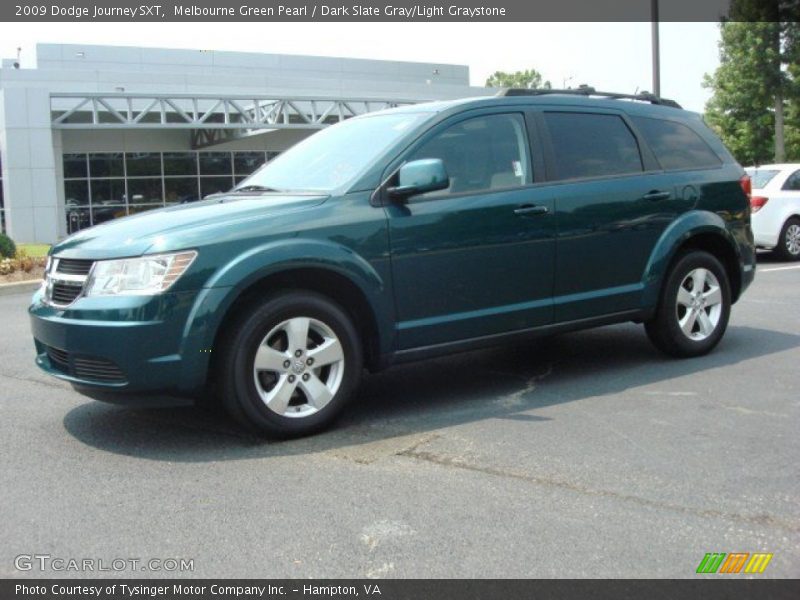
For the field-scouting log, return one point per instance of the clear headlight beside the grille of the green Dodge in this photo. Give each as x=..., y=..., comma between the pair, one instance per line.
x=143, y=276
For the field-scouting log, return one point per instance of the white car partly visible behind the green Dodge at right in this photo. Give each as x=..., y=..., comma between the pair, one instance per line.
x=775, y=203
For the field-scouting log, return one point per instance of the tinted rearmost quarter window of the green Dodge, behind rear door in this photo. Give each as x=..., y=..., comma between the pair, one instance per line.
x=675, y=145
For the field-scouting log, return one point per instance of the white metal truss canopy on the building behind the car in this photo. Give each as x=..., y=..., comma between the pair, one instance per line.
x=212, y=118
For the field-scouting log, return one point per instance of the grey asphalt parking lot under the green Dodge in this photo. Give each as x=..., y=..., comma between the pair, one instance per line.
x=588, y=455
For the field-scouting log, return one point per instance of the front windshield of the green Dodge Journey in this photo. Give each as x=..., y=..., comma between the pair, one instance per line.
x=335, y=156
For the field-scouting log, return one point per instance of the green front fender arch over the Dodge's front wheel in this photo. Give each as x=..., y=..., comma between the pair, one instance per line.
x=322, y=266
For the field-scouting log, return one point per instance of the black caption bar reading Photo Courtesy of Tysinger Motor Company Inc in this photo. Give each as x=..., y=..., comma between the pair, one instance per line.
x=707, y=588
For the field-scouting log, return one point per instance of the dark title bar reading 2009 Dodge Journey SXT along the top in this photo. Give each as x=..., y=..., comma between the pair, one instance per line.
x=376, y=10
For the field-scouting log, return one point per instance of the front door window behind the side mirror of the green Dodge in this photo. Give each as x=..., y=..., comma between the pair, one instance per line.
x=481, y=154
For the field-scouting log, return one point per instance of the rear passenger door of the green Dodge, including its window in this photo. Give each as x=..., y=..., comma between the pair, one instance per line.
x=612, y=203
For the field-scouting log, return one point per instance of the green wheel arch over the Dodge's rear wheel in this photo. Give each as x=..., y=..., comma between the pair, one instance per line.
x=686, y=226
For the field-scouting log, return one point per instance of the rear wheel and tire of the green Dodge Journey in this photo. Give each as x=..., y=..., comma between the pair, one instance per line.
x=694, y=307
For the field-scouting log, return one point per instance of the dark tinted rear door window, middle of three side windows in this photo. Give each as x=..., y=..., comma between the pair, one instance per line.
x=592, y=145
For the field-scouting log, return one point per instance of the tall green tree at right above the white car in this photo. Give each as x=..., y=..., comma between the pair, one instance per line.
x=754, y=107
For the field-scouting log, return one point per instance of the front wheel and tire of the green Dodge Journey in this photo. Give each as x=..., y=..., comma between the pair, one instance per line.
x=289, y=364
